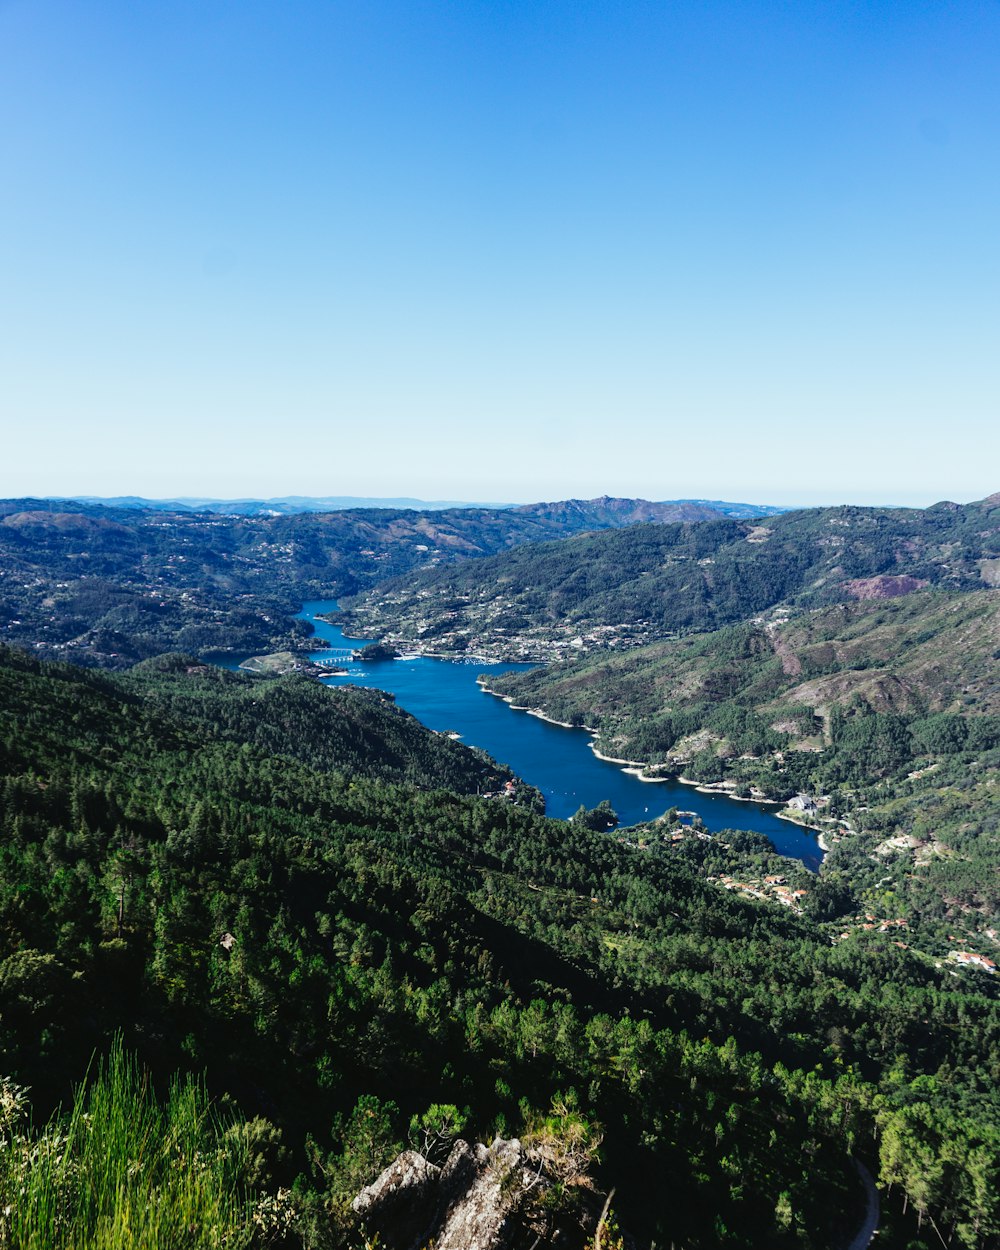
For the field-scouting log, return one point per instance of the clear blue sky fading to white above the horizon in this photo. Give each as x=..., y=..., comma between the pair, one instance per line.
x=501, y=251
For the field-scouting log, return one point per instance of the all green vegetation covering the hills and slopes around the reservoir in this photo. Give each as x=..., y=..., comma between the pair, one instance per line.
x=296, y=899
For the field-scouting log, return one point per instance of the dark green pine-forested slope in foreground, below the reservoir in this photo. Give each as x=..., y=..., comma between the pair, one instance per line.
x=339, y=951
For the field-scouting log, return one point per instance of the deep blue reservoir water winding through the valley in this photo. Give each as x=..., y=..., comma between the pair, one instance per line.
x=444, y=696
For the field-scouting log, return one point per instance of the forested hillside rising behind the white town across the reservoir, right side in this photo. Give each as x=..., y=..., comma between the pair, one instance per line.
x=648, y=582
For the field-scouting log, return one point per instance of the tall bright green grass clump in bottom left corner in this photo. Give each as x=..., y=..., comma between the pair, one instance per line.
x=123, y=1172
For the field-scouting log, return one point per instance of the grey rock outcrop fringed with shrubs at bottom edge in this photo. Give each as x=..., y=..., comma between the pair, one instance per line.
x=484, y=1198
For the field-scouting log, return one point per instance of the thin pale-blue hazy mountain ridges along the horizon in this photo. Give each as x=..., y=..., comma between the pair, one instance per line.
x=289, y=506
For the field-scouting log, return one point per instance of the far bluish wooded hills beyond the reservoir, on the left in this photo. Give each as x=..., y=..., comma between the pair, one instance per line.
x=111, y=586
